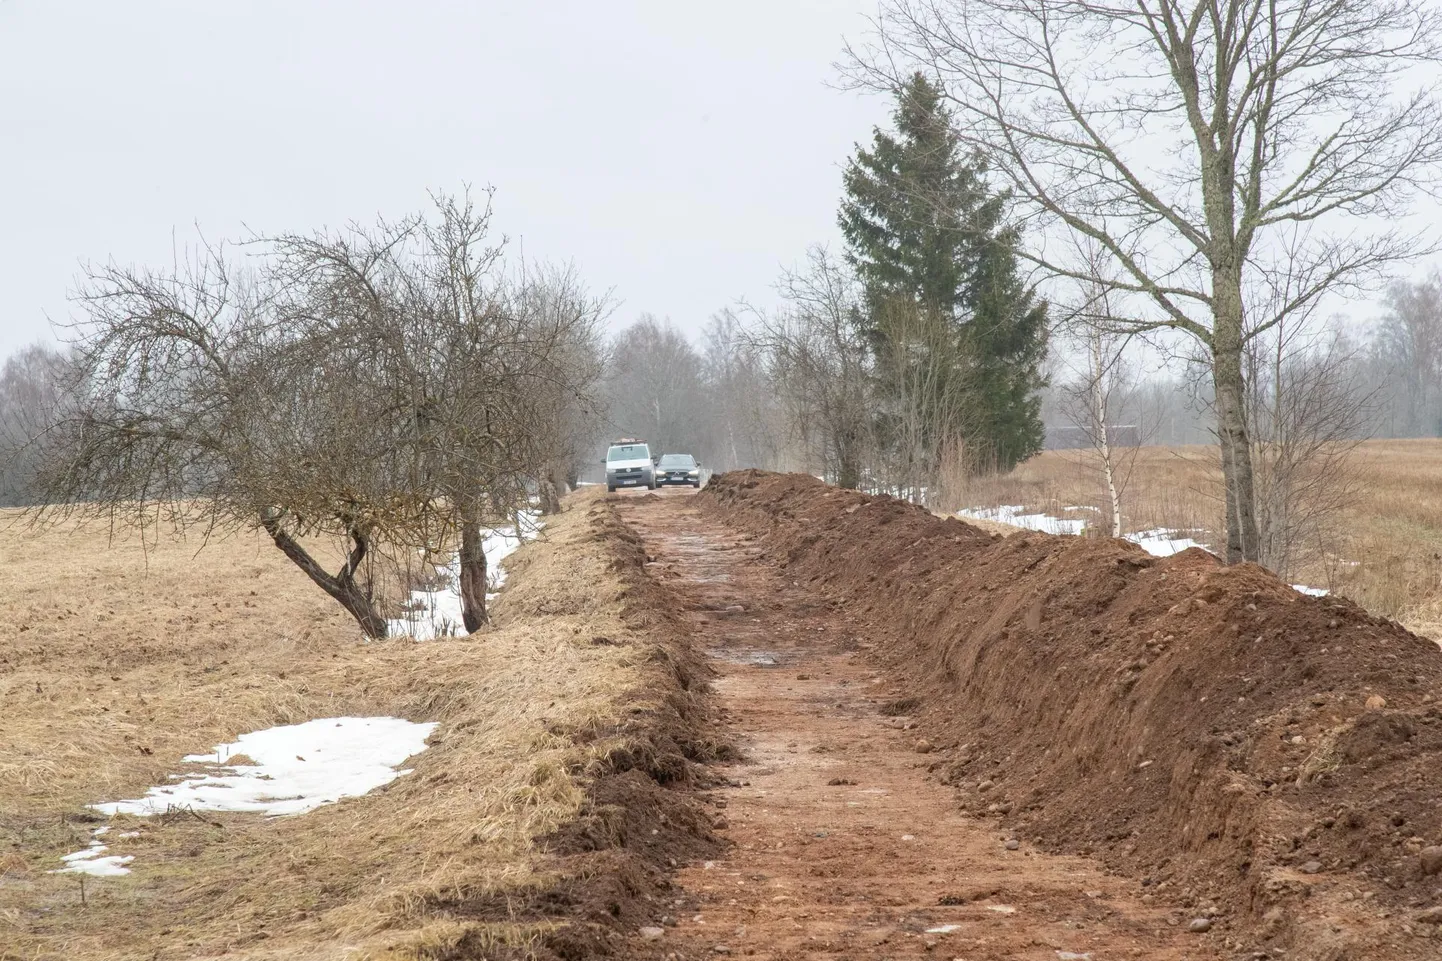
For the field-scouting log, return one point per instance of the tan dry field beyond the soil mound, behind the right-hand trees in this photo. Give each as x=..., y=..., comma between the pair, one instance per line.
x=1385, y=550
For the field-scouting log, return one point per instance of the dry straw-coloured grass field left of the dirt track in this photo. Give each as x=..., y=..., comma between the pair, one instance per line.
x=115, y=664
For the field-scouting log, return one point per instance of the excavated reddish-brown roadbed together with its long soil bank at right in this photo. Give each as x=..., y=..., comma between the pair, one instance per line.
x=961, y=745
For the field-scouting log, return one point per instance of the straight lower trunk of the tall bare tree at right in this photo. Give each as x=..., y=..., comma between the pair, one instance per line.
x=1232, y=422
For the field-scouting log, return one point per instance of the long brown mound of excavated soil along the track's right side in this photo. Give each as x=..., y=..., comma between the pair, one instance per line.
x=1208, y=731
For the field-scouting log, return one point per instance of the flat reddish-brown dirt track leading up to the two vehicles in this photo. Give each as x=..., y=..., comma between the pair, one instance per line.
x=844, y=845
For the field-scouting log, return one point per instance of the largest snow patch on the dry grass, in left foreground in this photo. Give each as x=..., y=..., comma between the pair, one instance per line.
x=298, y=768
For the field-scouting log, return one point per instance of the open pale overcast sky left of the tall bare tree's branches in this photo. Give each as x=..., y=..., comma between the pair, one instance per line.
x=678, y=154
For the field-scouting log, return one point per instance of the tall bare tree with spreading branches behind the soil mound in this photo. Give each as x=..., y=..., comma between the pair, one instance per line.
x=1212, y=149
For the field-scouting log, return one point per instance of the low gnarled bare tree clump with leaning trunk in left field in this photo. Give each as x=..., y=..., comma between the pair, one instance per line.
x=381, y=386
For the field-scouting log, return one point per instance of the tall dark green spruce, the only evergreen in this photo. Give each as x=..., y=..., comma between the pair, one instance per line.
x=926, y=236
